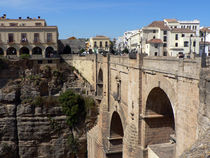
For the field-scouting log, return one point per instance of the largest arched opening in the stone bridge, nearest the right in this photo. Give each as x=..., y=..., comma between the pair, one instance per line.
x=159, y=118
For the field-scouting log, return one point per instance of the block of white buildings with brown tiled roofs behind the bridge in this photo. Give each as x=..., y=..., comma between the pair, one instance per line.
x=167, y=38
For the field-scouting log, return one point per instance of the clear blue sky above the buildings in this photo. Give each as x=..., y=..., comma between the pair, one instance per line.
x=86, y=18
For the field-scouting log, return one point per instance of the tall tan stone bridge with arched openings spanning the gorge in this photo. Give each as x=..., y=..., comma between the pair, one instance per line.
x=149, y=106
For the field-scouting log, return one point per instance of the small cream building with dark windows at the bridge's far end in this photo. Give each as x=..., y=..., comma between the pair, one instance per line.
x=99, y=43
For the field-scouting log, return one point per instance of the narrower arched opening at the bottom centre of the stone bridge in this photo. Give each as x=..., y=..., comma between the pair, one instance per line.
x=115, y=145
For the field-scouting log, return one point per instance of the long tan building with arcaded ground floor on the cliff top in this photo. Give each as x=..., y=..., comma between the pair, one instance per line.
x=27, y=36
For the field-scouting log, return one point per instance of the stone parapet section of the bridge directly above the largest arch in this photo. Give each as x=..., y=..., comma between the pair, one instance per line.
x=189, y=68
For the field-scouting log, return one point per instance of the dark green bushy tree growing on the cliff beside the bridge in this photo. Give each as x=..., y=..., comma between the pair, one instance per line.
x=73, y=106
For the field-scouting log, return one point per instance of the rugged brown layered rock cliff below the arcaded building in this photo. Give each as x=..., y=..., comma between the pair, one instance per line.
x=29, y=129
